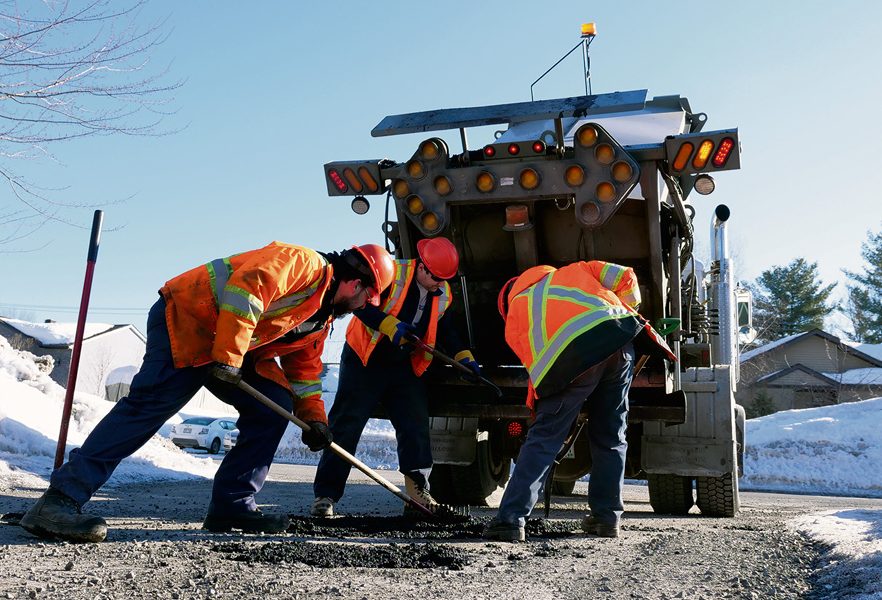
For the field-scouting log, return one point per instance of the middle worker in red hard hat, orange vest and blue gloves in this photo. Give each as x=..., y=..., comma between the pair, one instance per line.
x=378, y=366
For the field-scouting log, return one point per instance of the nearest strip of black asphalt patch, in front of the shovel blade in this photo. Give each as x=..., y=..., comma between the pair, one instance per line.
x=331, y=555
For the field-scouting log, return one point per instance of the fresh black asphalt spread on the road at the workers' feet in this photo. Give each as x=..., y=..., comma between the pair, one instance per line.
x=390, y=554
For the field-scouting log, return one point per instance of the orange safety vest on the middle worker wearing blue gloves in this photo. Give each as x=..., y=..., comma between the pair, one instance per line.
x=362, y=339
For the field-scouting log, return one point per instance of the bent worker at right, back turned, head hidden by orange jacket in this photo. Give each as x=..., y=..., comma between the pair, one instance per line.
x=574, y=328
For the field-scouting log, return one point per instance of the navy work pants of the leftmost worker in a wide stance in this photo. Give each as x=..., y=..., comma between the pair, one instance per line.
x=158, y=391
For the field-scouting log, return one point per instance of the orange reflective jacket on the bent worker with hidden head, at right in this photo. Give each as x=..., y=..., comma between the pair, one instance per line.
x=563, y=321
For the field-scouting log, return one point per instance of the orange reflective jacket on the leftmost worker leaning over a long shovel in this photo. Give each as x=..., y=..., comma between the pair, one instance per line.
x=243, y=303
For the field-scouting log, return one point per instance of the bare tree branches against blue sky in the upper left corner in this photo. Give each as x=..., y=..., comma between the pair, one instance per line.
x=71, y=70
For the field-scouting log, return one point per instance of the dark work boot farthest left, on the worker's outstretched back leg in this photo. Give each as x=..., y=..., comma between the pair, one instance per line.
x=56, y=515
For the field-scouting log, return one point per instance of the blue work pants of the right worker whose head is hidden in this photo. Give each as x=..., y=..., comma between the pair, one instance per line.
x=605, y=386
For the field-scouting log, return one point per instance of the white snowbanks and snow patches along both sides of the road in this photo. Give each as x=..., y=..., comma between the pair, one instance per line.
x=829, y=450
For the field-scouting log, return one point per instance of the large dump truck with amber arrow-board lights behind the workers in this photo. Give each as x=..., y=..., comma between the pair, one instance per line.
x=600, y=176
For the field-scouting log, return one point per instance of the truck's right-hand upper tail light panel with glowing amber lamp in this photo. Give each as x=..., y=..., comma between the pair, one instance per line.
x=703, y=152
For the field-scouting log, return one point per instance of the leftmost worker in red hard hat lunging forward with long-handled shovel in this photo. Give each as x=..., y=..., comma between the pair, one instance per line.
x=261, y=315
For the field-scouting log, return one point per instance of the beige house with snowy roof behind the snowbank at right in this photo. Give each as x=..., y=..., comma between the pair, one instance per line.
x=809, y=369
